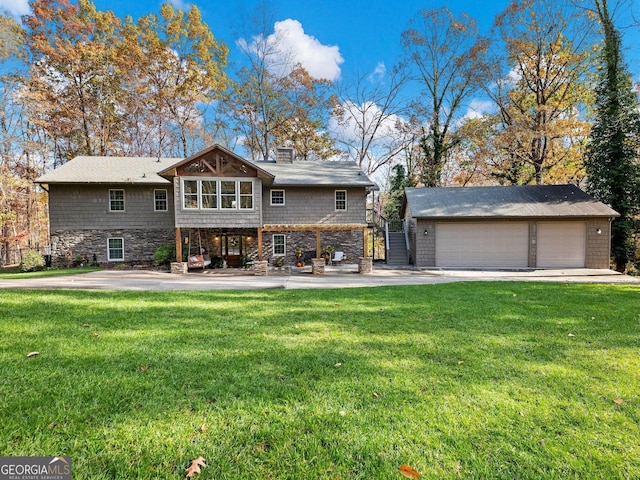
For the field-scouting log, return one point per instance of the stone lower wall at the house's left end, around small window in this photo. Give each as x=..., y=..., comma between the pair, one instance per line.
x=139, y=245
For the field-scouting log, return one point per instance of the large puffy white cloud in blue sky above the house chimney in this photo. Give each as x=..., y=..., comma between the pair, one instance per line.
x=290, y=45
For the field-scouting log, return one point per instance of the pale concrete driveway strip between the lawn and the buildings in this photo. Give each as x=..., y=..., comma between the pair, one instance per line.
x=344, y=276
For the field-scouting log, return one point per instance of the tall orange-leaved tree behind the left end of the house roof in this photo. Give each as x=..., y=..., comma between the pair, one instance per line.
x=74, y=87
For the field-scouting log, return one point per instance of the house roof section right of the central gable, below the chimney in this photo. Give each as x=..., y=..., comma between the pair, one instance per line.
x=306, y=173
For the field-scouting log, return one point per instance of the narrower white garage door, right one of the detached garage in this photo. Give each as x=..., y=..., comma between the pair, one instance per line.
x=562, y=244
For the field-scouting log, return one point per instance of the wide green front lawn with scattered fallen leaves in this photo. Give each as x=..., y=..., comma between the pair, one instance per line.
x=462, y=380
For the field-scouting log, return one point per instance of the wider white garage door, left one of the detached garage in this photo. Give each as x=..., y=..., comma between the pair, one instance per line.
x=499, y=244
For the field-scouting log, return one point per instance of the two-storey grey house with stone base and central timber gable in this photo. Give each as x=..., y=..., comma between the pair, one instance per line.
x=118, y=209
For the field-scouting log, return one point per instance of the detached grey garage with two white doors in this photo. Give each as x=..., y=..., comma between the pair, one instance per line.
x=555, y=226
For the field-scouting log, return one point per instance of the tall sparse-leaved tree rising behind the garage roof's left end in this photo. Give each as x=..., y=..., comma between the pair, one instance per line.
x=445, y=53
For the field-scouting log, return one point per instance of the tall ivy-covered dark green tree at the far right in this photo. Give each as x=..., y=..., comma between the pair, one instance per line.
x=613, y=172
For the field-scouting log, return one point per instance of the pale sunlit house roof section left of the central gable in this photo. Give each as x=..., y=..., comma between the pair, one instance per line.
x=125, y=170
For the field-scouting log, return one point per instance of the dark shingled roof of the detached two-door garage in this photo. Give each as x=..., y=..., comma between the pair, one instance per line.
x=503, y=202
